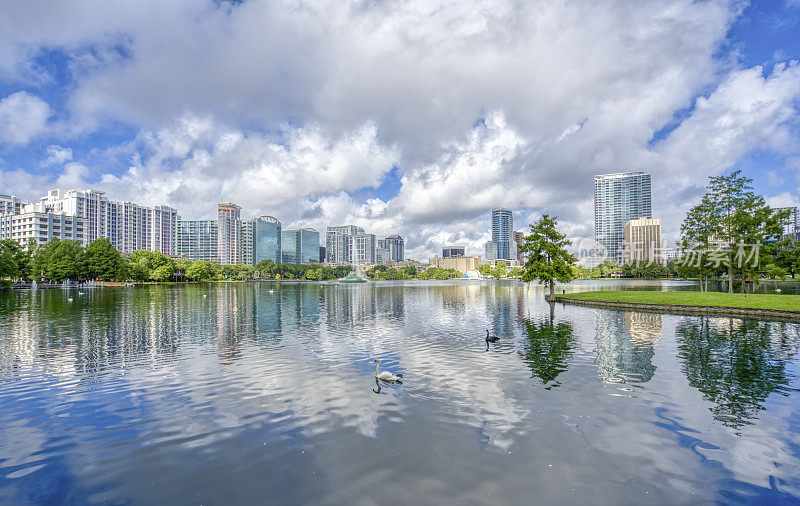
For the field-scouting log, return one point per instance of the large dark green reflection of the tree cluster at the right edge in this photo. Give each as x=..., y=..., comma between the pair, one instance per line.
x=737, y=364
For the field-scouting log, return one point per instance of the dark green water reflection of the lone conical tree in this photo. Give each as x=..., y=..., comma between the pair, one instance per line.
x=547, y=349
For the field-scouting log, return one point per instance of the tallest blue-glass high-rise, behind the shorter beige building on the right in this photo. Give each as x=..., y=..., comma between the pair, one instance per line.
x=618, y=199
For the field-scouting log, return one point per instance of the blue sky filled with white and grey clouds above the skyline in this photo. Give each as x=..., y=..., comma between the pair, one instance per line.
x=413, y=118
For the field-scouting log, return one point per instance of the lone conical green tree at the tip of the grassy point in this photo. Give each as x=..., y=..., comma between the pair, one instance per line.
x=547, y=258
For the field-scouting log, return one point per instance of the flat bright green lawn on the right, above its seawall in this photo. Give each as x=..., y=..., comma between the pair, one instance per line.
x=686, y=298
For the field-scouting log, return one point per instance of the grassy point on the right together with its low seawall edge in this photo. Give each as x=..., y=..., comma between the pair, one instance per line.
x=736, y=304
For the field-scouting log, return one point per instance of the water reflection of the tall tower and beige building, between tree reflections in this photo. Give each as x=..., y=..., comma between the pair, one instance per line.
x=625, y=345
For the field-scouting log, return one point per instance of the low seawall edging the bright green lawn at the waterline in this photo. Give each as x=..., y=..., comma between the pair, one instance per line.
x=691, y=310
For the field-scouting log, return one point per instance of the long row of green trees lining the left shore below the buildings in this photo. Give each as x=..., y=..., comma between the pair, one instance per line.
x=61, y=260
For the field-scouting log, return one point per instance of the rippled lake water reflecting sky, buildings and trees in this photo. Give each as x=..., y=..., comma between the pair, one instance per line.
x=227, y=393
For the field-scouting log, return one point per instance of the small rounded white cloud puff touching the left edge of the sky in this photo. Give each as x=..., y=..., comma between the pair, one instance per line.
x=22, y=117
